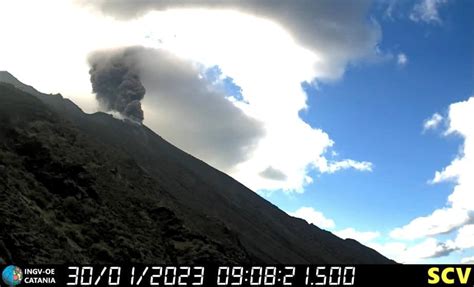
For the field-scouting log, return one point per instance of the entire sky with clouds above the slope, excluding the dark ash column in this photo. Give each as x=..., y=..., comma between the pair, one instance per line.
x=355, y=116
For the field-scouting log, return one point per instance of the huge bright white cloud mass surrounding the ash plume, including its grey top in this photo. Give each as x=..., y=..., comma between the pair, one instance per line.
x=300, y=43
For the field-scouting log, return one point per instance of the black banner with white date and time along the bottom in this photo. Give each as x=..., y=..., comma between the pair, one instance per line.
x=245, y=275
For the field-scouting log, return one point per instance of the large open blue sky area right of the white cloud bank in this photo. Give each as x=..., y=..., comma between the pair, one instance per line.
x=376, y=113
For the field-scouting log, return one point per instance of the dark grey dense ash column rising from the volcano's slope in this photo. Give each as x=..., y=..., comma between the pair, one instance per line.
x=116, y=83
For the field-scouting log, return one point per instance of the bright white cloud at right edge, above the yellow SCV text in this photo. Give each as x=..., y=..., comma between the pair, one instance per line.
x=460, y=204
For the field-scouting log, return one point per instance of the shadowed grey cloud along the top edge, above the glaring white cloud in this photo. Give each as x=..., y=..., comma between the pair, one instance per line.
x=337, y=32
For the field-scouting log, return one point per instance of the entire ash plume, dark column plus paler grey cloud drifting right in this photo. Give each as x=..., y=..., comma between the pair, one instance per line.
x=180, y=104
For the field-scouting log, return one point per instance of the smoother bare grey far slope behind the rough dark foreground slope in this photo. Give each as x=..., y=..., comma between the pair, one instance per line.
x=209, y=202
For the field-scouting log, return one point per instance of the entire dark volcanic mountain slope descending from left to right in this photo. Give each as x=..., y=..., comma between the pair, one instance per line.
x=91, y=188
